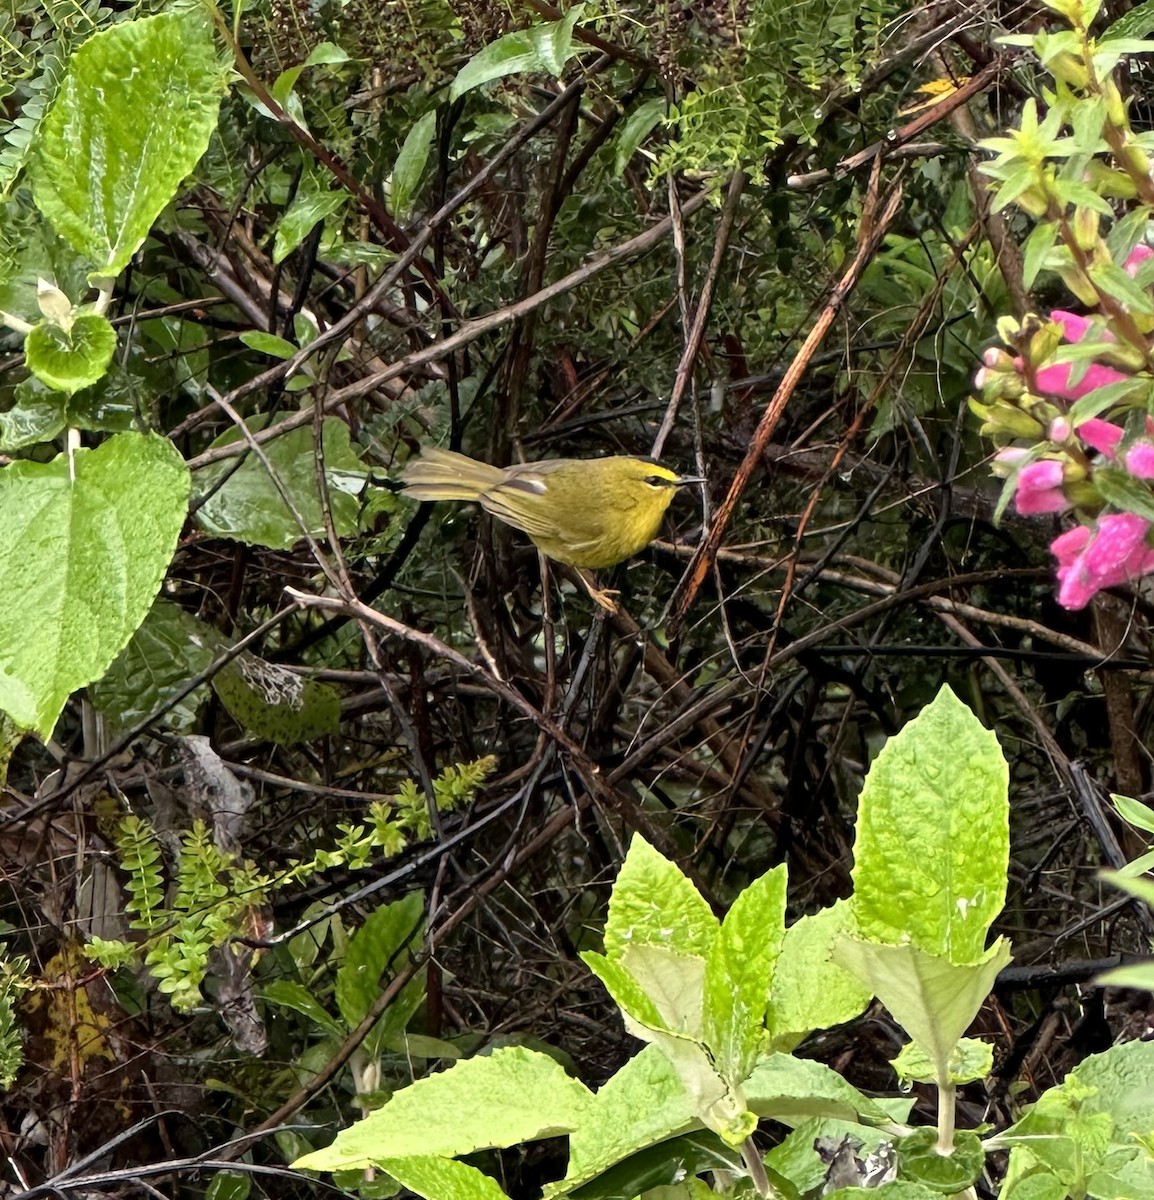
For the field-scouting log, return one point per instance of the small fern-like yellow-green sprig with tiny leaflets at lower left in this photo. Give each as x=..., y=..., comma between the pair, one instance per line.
x=213, y=892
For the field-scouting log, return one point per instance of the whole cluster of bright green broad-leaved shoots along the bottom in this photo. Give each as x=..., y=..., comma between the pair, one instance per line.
x=714, y=999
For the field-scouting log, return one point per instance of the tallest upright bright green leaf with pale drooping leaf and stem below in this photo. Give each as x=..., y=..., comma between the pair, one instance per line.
x=930, y=868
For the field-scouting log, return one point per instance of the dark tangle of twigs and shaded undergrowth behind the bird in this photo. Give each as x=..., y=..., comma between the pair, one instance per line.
x=736, y=745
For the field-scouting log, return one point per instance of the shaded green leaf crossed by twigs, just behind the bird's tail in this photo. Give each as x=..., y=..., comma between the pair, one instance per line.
x=249, y=506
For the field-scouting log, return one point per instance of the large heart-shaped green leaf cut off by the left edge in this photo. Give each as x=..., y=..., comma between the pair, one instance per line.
x=85, y=545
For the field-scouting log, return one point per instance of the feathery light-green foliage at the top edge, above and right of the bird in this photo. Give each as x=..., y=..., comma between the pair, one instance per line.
x=768, y=77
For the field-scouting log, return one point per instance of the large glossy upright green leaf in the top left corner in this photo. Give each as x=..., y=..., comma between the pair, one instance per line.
x=131, y=121
